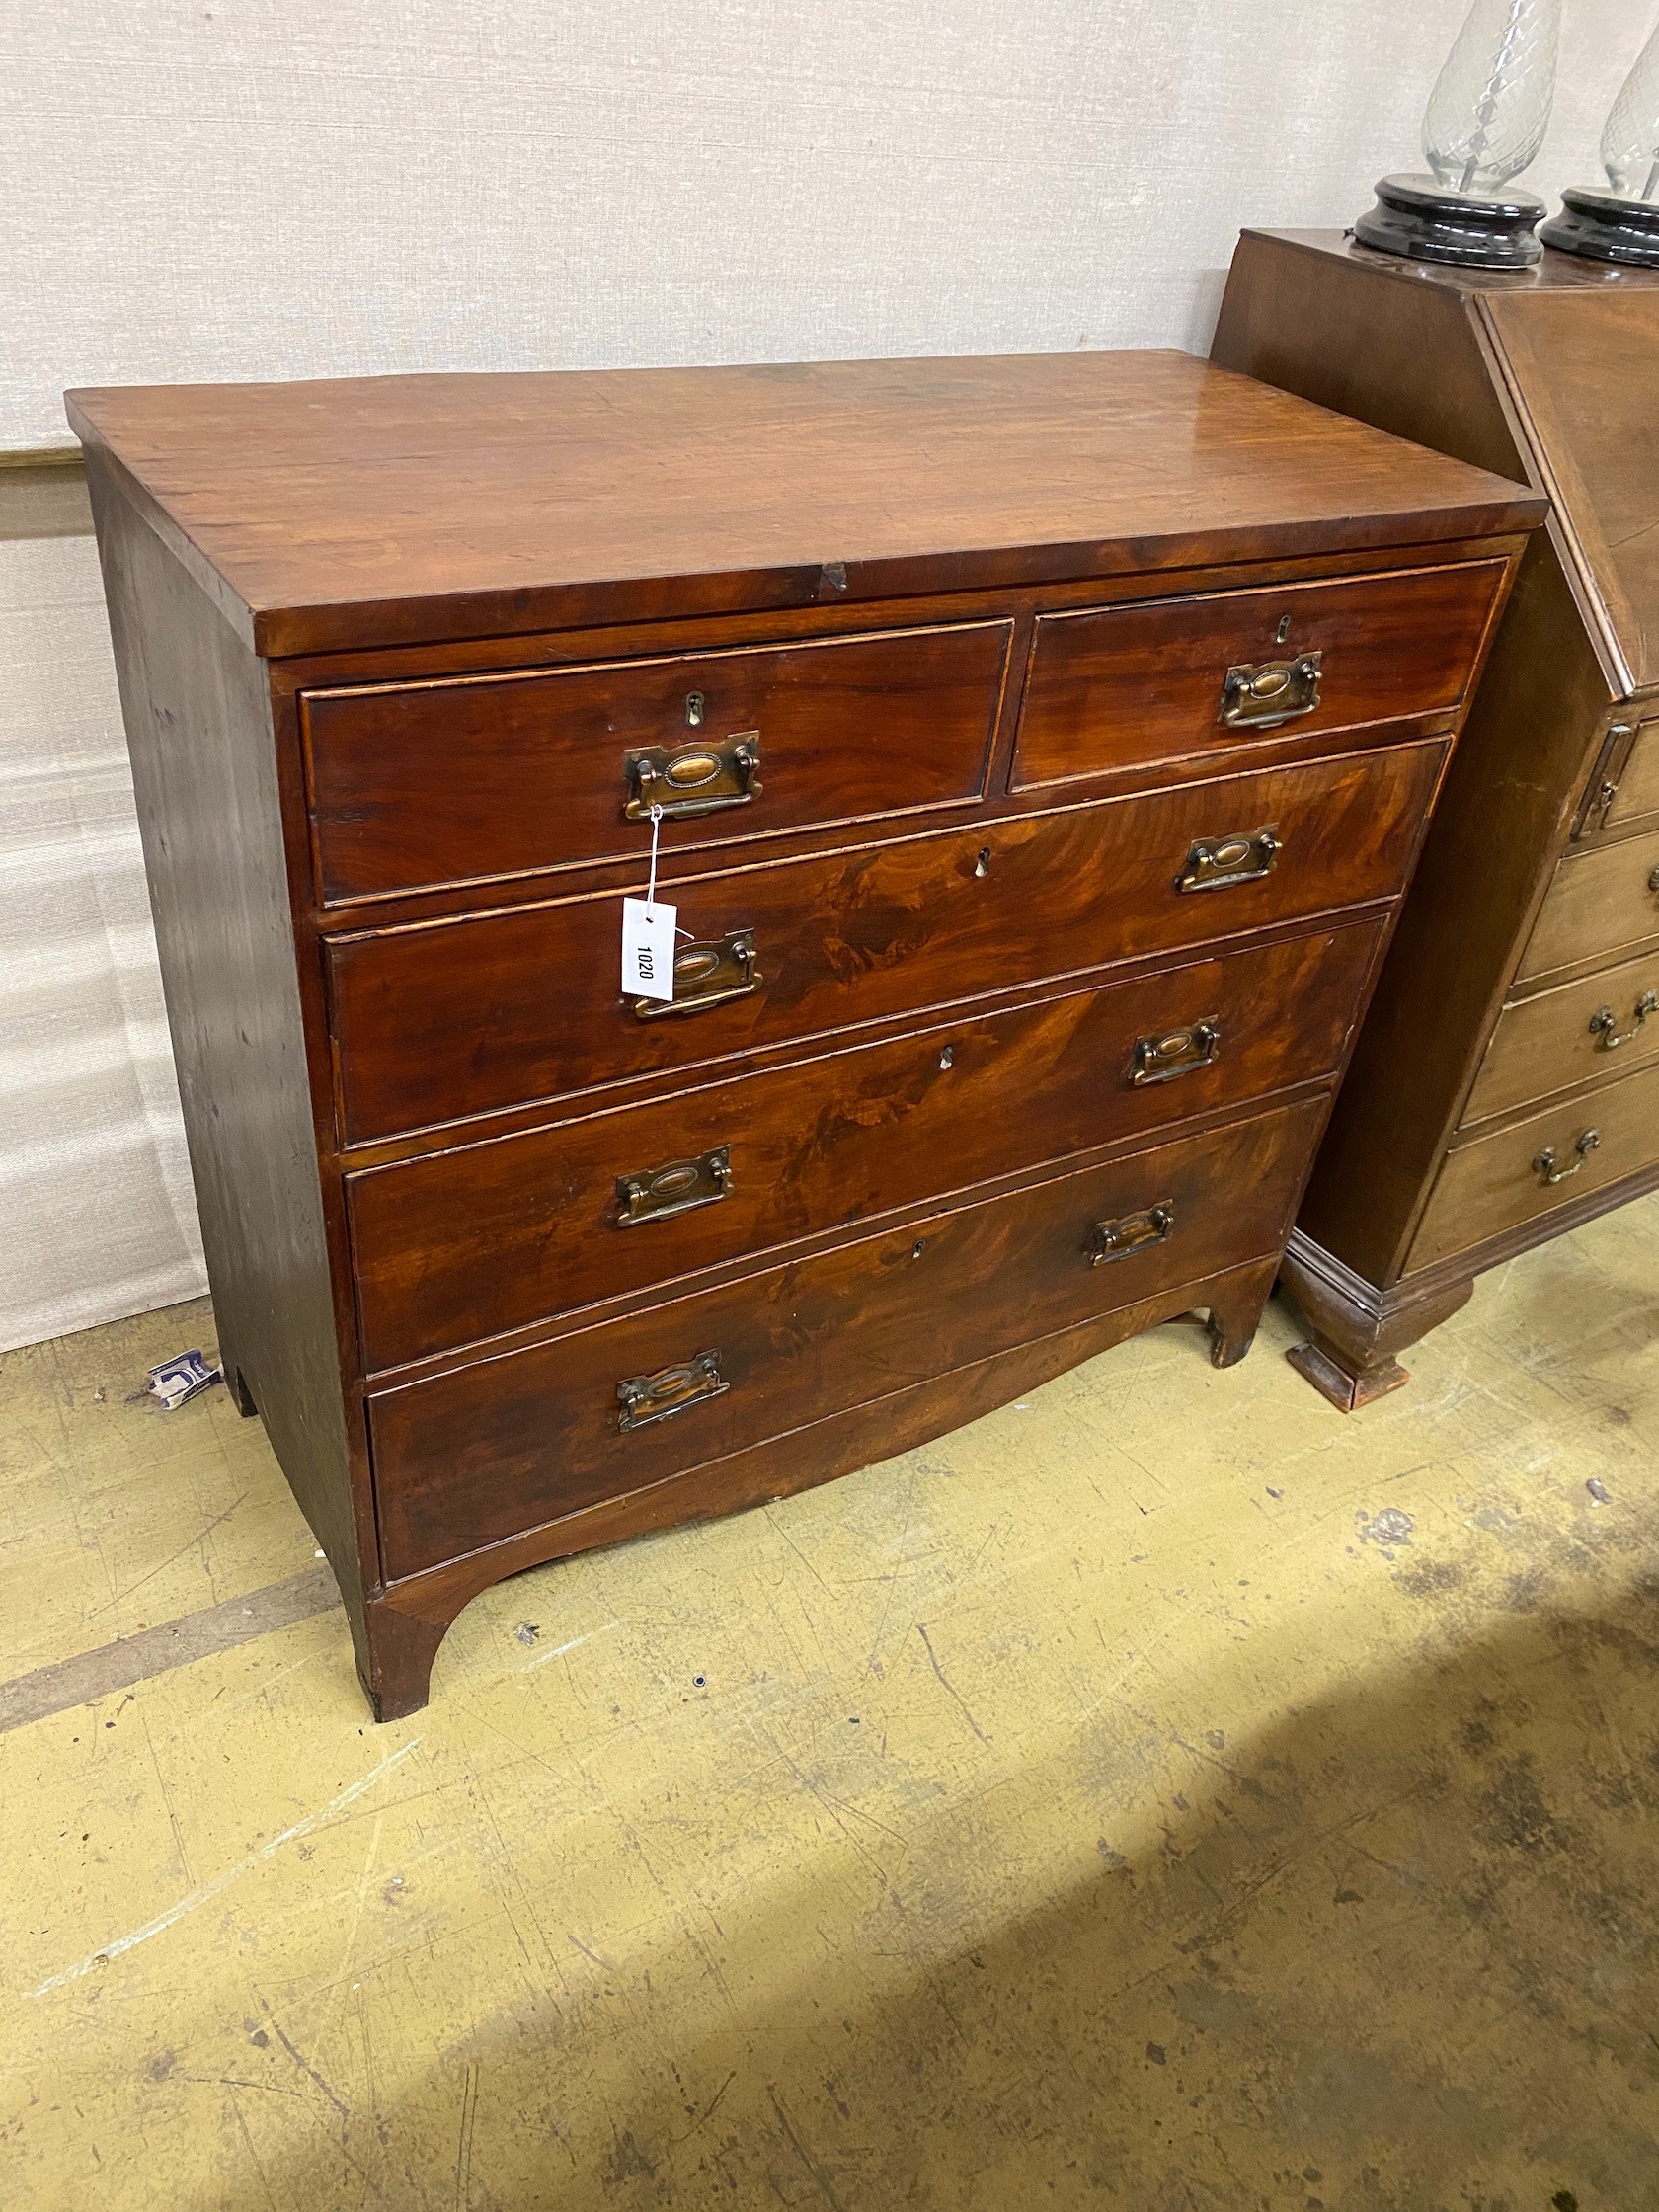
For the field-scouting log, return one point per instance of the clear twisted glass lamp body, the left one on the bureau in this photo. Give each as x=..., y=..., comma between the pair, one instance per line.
x=1492, y=103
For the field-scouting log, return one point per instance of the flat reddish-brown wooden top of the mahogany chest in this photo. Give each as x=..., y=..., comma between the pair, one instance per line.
x=410, y=510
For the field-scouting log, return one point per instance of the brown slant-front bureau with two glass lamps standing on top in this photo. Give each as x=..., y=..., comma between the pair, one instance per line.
x=1507, y=1078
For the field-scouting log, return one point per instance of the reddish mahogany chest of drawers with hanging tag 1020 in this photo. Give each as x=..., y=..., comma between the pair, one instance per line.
x=1039, y=747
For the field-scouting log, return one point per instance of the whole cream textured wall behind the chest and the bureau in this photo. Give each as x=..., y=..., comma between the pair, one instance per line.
x=302, y=189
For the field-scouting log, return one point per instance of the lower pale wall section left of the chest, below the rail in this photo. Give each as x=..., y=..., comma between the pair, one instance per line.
x=96, y=1211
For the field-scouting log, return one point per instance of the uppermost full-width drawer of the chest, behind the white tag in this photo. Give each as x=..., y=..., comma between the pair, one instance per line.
x=444, y=1021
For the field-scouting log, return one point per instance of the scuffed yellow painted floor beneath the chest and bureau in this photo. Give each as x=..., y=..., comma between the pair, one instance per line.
x=1162, y=1793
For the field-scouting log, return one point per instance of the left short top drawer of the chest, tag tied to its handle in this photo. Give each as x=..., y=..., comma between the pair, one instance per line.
x=468, y=780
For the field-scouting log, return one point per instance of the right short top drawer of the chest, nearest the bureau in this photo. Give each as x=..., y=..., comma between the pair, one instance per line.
x=1123, y=687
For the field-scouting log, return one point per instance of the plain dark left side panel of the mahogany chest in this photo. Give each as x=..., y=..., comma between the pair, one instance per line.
x=205, y=771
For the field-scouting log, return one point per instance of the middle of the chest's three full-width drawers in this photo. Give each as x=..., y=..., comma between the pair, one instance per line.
x=499, y=1235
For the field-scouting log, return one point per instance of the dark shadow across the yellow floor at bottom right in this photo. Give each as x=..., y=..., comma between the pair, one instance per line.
x=1395, y=1957
